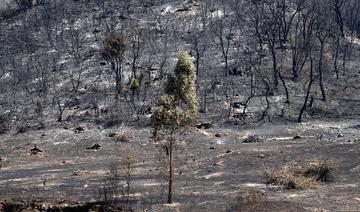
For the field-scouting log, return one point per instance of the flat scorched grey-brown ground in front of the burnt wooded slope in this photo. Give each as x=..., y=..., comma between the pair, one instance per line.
x=211, y=172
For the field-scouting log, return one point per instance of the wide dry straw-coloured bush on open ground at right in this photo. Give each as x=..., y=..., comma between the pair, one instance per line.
x=299, y=176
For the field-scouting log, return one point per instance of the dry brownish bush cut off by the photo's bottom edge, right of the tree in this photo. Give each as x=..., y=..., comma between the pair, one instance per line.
x=252, y=201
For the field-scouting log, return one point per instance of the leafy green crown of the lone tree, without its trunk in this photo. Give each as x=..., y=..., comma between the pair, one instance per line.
x=178, y=107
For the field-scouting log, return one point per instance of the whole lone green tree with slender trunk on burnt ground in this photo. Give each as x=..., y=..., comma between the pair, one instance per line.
x=176, y=110
